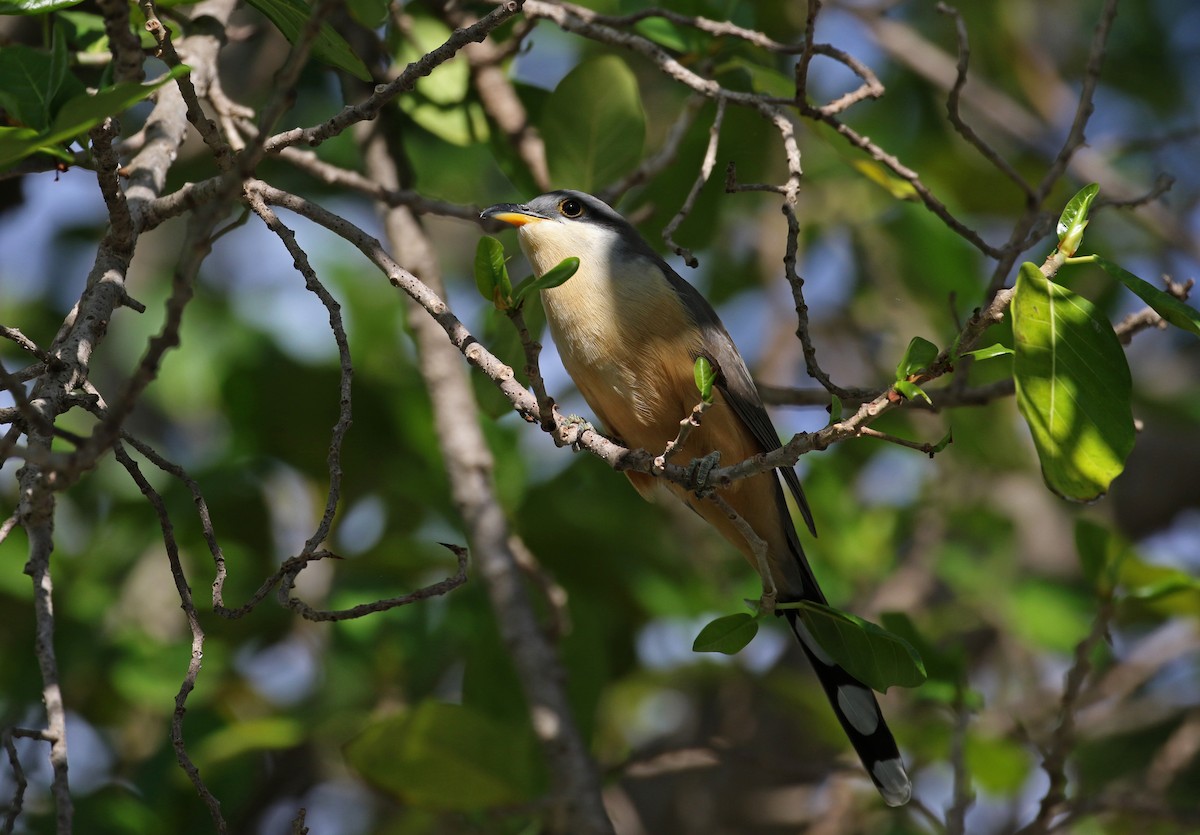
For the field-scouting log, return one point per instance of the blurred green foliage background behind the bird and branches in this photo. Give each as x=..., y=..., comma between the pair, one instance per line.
x=412, y=722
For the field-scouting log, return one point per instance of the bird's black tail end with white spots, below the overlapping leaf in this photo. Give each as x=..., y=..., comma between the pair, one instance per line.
x=861, y=718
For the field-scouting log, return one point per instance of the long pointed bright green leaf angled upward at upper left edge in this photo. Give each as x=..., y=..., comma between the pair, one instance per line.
x=77, y=116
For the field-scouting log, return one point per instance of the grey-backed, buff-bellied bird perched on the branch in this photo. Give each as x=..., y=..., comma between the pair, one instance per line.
x=629, y=332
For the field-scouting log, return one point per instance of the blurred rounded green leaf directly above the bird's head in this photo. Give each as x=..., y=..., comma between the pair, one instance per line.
x=595, y=125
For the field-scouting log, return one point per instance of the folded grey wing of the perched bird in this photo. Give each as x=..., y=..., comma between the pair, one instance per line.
x=735, y=382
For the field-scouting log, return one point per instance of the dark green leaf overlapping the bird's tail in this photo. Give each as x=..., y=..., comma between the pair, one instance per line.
x=872, y=654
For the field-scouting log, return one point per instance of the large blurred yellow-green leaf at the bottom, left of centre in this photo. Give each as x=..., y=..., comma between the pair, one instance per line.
x=449, y=758
